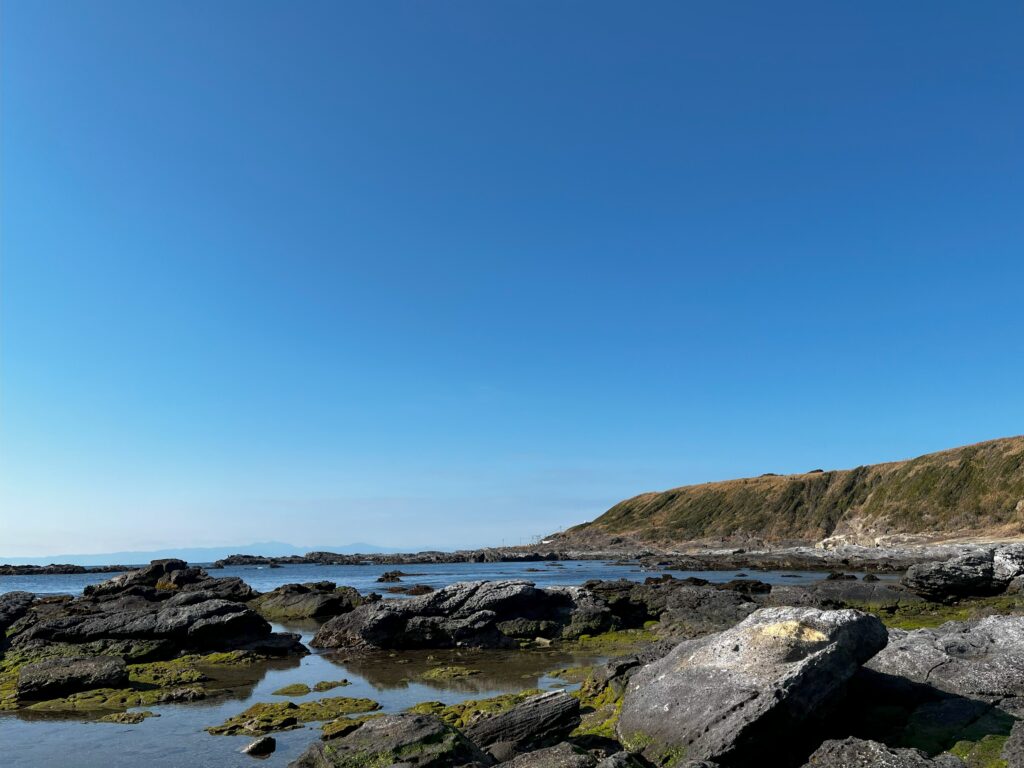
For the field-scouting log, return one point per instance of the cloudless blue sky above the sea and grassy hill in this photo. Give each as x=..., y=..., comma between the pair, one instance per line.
x=453, y=274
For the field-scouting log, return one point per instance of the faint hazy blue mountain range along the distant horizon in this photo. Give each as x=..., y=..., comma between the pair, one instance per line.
x=194, y=554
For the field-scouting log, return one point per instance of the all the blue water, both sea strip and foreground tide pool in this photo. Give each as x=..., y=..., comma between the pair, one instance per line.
x=178, y=739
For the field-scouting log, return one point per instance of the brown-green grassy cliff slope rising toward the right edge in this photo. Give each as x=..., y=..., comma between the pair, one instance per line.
x=971, y=490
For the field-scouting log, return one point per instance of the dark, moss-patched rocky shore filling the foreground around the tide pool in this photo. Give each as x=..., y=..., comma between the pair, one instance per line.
x=925, y=671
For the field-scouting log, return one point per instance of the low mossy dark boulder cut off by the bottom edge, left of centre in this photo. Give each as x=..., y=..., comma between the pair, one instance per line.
x=420, y=741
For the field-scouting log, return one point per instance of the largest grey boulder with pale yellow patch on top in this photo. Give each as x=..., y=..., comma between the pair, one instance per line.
x=726, y=696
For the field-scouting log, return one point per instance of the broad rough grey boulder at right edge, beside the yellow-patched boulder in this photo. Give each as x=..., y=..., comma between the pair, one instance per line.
x=982, y=658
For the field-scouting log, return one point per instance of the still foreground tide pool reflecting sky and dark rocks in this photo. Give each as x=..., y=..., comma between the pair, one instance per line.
x=177, y=740
